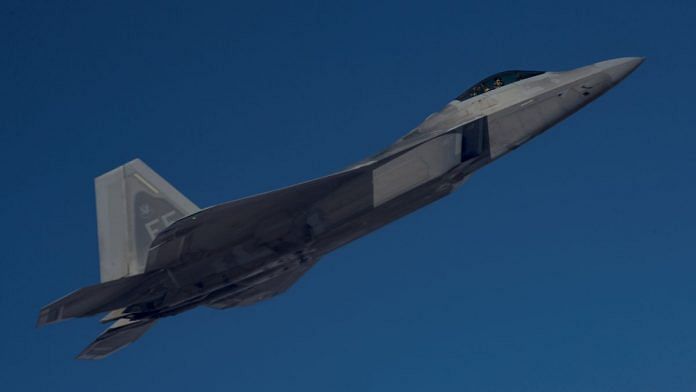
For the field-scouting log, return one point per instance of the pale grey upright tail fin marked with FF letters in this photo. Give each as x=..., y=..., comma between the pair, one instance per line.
x=133, y=205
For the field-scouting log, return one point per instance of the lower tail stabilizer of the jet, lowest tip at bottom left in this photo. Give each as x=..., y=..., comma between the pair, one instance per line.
x=120, y=334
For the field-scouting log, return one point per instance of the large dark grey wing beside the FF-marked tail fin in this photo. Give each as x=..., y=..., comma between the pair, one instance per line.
x=265, y=218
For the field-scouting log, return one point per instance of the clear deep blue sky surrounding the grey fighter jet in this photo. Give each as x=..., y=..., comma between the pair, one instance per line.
x=566, y=266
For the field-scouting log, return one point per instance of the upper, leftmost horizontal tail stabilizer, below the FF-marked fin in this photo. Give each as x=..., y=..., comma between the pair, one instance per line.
x=91, y=300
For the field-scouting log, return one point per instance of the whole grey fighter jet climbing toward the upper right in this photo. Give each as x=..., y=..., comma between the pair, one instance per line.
x=161, y=255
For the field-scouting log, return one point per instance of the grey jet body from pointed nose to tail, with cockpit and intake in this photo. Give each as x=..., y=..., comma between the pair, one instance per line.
x=264, y=257
